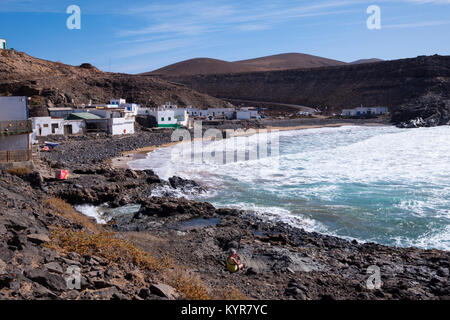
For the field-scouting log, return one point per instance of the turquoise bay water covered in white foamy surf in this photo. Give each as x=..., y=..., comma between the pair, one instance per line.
x=379, y=184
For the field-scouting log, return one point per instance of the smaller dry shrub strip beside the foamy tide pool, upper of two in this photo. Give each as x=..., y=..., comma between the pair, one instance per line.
x=65, y=210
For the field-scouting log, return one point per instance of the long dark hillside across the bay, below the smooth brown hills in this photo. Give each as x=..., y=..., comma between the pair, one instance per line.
x=390, y=83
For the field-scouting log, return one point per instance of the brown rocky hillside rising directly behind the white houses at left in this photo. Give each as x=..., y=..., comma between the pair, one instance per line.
x=53, y=83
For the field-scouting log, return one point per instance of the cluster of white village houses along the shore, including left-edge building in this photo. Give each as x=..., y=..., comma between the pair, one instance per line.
x=118, y=117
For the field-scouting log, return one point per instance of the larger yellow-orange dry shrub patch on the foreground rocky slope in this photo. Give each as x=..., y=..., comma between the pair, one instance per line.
x=107, y=246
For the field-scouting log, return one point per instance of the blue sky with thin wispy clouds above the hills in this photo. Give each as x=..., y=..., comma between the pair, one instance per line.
x=139, y=36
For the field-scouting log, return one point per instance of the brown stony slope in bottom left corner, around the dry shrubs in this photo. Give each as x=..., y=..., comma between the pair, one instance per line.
x=31, y=270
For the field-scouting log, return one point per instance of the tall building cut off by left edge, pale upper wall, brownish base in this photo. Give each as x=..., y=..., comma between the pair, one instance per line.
x=15, y=129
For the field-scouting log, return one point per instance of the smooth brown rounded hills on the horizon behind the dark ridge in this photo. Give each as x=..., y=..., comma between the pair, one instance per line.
x=271, y=63
